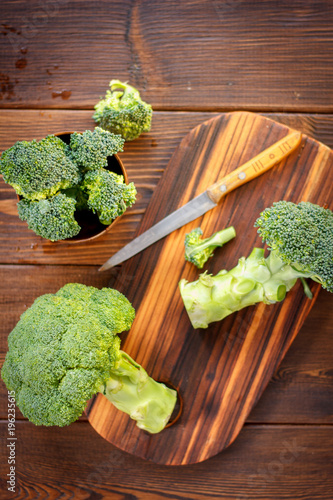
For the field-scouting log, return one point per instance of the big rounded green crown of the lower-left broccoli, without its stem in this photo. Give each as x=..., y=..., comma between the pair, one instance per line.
x=62, y=349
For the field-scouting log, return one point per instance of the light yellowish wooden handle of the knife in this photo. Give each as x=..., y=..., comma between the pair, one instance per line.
x=255, y=167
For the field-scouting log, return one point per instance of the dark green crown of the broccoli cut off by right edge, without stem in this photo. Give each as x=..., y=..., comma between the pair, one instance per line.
x=302, y=236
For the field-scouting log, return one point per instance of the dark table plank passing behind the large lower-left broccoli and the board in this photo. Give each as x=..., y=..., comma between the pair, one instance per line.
x=301, y=391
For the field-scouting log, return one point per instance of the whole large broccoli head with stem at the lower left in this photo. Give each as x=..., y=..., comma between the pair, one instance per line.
x=65, y=349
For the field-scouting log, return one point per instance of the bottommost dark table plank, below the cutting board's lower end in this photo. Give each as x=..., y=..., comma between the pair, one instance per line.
x=266, y=462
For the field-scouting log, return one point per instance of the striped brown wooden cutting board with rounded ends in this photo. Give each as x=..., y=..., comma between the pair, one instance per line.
x=221, y=372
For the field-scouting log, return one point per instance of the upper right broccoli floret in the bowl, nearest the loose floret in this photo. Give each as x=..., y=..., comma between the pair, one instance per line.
x=90, y=149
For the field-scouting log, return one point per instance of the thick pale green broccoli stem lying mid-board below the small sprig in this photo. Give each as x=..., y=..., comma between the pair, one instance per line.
x=253, y=280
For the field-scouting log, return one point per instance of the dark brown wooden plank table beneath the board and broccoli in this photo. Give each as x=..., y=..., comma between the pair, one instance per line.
x=191, y=60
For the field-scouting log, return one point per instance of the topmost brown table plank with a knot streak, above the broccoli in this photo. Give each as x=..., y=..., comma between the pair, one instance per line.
x=217, y=55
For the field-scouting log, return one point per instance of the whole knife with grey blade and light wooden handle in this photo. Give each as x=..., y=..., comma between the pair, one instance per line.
x=209, y=198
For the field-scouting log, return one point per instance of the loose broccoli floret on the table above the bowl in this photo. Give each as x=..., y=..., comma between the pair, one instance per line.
x=122, y=111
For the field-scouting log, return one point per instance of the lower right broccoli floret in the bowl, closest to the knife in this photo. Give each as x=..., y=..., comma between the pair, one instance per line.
x=108, y=195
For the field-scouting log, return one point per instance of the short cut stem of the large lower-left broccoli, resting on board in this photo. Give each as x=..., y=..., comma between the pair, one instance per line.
x=132, y=391
